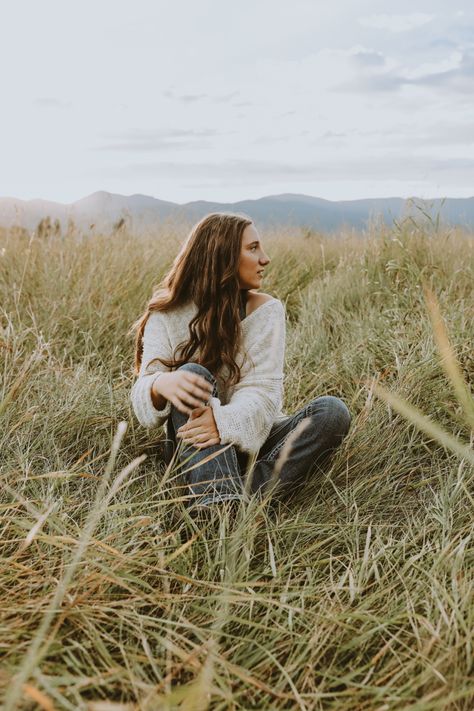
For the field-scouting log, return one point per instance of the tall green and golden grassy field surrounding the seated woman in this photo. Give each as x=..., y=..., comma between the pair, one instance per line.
x=357, y=597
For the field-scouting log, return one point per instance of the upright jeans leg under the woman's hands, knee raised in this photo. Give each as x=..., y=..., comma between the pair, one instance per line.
x=218, y=479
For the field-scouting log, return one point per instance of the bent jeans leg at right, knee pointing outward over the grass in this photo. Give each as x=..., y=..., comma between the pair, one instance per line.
x=327, y=421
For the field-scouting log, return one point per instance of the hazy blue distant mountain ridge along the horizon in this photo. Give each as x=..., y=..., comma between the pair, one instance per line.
x=102, y=211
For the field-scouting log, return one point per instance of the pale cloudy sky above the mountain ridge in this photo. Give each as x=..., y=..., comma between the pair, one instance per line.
x=225, y=101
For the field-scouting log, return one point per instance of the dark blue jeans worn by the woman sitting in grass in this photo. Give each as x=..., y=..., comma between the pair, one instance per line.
x=325, y=422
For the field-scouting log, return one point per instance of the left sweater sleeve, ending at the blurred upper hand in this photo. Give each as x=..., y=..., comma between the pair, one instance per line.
x=156, y=344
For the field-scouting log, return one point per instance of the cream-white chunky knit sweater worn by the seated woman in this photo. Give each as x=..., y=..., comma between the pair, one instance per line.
x=244, y=413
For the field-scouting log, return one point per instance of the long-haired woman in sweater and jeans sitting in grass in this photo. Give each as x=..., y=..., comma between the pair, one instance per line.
x=210, y=355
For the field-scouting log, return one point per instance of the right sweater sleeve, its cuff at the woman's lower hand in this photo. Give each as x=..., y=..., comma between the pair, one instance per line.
x=246, y=420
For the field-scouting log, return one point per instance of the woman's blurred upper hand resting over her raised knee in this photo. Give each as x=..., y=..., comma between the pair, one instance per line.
x=183, y=389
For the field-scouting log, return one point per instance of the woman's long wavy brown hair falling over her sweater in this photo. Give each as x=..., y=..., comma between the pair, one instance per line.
x=206, y=271
